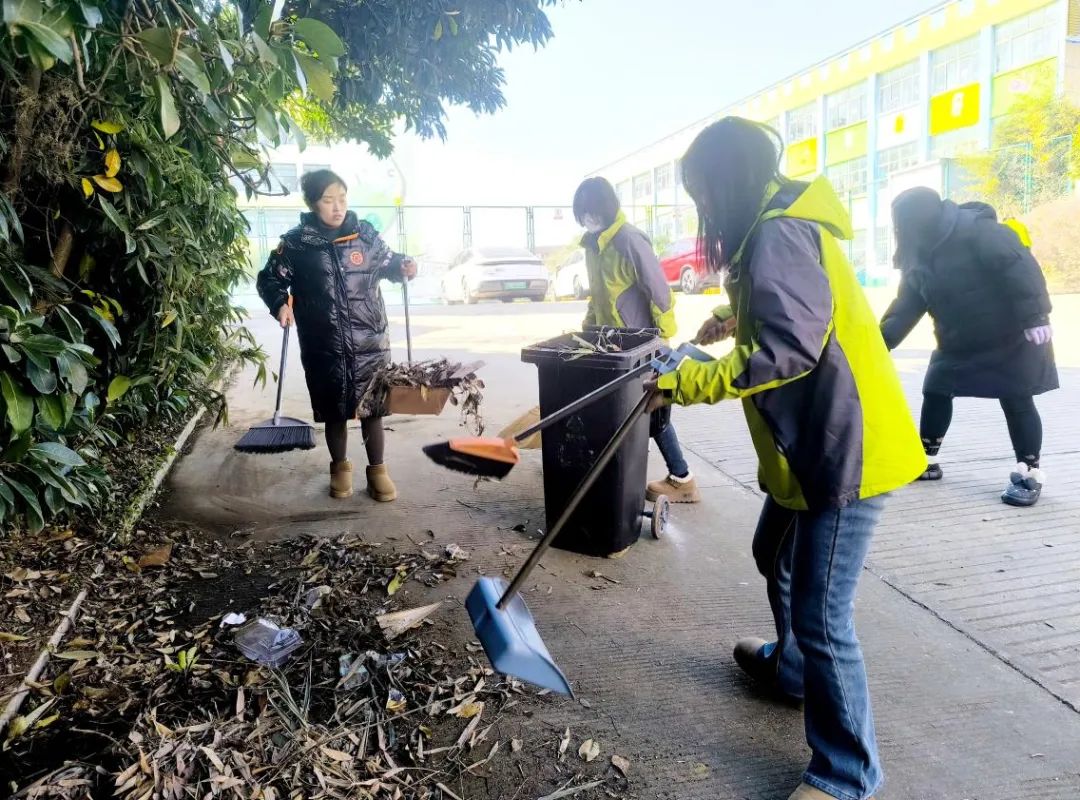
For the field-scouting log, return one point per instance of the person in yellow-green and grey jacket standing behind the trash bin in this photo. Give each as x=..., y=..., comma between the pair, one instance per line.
x=628, y=290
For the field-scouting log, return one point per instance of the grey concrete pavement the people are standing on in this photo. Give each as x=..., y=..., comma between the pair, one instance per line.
x=975, y=693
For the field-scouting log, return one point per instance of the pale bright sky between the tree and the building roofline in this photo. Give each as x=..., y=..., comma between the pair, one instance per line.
x=619, y=75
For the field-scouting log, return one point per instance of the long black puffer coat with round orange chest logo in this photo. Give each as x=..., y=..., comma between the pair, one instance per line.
x=341, y=317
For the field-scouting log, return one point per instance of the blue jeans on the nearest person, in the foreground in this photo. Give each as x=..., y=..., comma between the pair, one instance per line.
x=812, y=562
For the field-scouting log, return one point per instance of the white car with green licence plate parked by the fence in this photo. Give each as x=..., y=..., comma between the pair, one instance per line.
x=495, y=274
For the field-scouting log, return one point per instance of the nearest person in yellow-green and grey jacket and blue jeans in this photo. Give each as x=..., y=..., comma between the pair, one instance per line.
x=830, y=424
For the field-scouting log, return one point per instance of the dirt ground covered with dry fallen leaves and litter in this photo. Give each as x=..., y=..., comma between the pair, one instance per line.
x=150, y=697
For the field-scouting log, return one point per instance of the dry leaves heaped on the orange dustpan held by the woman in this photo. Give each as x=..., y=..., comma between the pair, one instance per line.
x=467, y=389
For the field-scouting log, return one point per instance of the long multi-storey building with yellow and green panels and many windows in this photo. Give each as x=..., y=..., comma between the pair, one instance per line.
x=885, y=115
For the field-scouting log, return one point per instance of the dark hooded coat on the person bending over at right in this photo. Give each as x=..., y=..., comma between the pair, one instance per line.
x=983, y=289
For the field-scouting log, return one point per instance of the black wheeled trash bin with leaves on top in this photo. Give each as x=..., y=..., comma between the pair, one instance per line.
x=610, y=520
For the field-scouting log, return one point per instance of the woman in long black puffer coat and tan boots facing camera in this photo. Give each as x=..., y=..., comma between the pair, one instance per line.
x=332, y=265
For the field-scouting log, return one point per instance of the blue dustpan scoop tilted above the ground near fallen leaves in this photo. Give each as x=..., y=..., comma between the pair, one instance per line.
x=510, y=638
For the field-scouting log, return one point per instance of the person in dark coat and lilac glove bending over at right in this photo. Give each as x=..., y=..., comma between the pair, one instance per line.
x=989, y=301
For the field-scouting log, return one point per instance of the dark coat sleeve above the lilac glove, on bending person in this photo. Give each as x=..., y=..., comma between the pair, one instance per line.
x=1019, y=275
